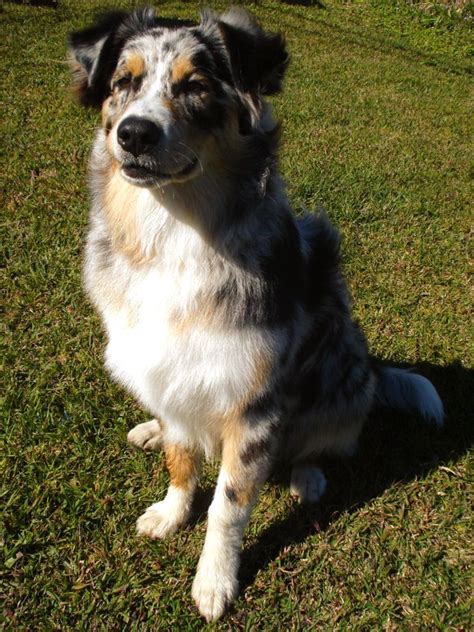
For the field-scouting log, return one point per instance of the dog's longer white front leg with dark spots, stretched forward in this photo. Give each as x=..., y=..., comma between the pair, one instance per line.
x=246, y=462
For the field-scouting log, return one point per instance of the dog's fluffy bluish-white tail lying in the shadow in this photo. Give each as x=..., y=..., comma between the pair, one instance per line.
x=403, y=390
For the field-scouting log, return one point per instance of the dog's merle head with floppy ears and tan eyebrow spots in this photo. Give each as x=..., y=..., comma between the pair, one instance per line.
x=169, y=88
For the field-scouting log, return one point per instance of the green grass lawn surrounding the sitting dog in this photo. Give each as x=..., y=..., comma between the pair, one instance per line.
x=376, y=119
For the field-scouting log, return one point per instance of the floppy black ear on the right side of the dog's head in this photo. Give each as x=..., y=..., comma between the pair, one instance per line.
x=258, y=59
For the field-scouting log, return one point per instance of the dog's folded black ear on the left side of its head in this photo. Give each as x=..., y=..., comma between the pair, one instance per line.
x=94, y=52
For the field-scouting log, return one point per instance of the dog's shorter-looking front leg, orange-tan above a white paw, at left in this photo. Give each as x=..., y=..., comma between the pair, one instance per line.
x=164, y=518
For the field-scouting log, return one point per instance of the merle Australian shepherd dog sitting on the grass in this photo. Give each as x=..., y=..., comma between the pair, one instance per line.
x=226, y=315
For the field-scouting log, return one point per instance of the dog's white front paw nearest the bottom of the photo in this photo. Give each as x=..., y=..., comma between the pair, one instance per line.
x=213, y=591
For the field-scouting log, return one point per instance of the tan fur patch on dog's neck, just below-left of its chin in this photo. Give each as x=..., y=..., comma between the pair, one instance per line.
x=121, y=201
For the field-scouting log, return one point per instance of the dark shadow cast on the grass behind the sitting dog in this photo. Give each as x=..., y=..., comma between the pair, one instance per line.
x=393, y=448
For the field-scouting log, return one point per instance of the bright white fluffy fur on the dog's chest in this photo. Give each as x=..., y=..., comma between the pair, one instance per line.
x=191, y=376
